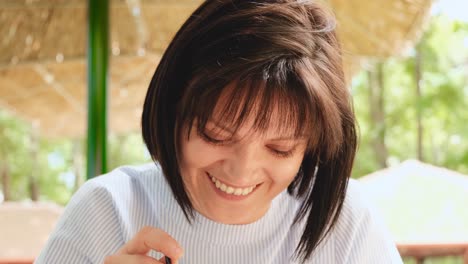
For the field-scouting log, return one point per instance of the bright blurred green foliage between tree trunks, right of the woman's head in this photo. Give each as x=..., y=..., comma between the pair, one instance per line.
x=444, y=102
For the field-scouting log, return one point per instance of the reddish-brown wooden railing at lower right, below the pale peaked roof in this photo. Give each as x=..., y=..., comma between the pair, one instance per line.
x=420, y=252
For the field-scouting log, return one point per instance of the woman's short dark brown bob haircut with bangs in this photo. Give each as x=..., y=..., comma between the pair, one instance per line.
x=276, y=52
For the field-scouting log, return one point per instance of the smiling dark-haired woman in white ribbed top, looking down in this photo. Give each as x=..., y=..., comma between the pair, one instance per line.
x=251, y=128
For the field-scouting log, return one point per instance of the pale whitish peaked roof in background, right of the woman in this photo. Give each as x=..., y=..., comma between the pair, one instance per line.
x=421, y=203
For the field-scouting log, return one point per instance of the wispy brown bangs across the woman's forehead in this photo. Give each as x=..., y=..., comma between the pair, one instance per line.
x=263, y=102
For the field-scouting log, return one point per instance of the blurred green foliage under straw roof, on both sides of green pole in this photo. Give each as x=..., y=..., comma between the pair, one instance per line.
x=54, y=167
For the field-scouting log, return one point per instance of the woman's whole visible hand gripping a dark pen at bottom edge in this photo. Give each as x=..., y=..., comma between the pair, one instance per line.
x=148, y=238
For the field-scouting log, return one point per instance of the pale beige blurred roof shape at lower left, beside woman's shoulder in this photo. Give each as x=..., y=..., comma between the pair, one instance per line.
x=25, y=228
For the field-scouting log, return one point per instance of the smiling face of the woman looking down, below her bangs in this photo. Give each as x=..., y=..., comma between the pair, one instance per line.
x=234, y=181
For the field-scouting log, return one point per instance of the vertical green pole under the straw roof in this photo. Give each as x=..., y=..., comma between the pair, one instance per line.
x=98, y=47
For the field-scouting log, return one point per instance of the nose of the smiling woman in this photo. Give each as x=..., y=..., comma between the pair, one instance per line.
x=244, y=164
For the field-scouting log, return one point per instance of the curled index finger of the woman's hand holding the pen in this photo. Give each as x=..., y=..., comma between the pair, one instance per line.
x=153, y=238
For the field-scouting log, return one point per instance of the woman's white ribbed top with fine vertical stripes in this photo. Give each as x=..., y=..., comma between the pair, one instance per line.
x=109, y=210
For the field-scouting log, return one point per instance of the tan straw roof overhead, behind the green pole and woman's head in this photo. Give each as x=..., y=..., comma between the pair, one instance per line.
x=43, y=66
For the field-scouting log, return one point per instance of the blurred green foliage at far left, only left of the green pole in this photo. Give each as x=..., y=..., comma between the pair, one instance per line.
x=17, y=154
